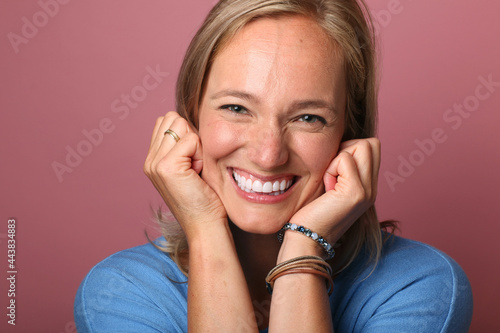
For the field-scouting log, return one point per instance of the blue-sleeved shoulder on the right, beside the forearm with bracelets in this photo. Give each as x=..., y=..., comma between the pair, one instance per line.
x=413, y=288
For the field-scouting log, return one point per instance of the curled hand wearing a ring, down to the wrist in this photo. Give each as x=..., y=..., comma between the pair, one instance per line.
x=174, y=169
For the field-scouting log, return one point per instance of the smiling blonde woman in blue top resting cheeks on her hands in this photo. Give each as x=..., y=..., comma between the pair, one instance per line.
x=277, y=106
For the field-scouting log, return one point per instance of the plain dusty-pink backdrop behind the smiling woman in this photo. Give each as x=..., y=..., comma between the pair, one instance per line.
x=68, y=76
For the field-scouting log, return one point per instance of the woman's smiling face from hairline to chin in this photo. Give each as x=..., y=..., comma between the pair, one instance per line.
x=271, y=120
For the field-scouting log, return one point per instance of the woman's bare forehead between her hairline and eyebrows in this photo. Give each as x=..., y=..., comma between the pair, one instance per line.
x=290, y=55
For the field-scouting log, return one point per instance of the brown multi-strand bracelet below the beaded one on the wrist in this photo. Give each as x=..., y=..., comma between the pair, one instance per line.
x=305, y=264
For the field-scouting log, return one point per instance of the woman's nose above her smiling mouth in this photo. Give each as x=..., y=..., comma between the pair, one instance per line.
x=267, y=147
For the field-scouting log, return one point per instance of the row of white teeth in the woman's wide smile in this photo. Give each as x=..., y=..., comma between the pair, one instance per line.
x=252, y=184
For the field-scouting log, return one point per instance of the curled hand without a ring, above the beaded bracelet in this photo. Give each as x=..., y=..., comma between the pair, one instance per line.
x=350, y=189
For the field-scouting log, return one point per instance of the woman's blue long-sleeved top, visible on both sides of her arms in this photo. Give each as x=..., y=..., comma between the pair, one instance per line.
x=413, y=288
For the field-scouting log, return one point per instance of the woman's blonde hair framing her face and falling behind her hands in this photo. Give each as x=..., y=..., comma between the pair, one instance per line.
x=348, y=23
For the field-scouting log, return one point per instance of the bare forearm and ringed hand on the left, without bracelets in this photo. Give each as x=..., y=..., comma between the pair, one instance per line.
x=214, y=267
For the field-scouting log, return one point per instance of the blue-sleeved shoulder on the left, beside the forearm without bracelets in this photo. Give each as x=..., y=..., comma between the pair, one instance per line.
x=140, y=289
